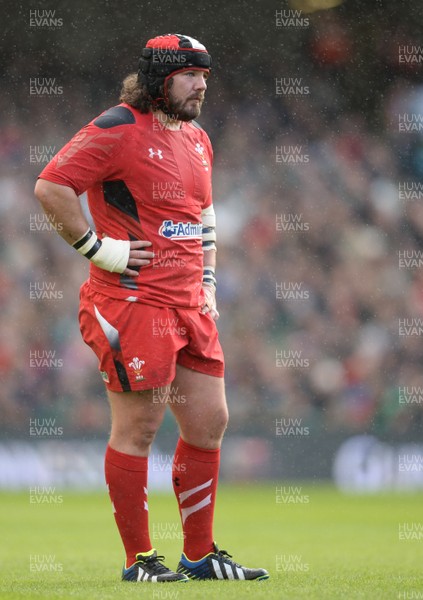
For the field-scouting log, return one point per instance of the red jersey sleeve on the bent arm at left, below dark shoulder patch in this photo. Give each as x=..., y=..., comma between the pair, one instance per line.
x=87, y=158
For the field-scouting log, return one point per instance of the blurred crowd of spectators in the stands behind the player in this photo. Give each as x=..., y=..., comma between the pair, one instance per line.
x=312, y=218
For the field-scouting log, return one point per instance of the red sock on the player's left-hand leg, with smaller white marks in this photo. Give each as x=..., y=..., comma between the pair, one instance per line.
x=126, y=478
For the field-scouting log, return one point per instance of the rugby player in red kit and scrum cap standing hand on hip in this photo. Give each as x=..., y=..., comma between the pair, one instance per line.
x=148, y=309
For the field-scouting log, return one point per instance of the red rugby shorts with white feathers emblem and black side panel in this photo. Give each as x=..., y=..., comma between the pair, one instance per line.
x=138, y=345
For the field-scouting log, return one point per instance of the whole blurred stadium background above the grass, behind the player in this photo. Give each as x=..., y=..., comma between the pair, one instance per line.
x=330, y=228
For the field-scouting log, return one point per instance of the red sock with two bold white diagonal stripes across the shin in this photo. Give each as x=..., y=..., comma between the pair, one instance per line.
x=194, y=475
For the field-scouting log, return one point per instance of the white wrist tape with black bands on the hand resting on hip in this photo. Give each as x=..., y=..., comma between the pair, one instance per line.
x=108, y=254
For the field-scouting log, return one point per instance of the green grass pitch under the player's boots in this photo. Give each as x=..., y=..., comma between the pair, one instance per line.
x=345, y=546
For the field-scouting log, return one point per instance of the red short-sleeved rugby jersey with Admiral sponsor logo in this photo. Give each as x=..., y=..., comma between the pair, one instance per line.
x=144, y=182
